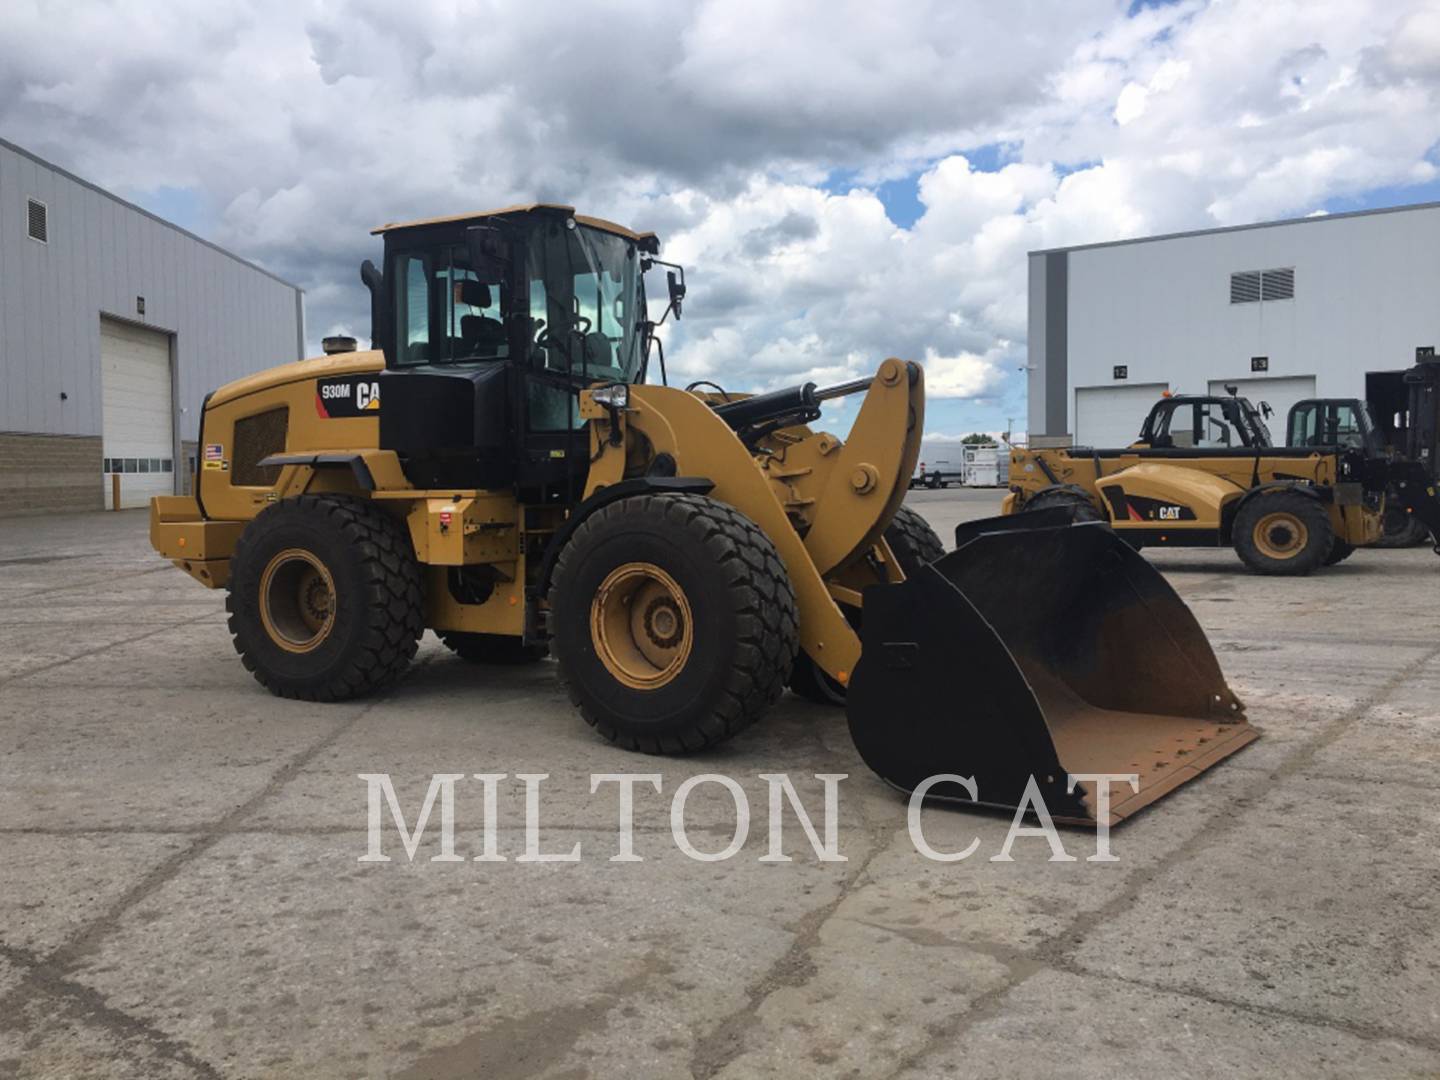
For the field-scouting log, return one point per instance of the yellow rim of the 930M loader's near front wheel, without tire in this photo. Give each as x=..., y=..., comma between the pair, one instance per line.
x=642, y=626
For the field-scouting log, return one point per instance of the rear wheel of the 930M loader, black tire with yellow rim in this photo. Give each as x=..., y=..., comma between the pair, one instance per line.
x=325, y=598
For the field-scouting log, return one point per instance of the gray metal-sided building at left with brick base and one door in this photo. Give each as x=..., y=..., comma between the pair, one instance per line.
x=114, y=325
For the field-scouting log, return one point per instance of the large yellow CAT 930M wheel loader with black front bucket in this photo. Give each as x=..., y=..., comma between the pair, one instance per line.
x=500, y=472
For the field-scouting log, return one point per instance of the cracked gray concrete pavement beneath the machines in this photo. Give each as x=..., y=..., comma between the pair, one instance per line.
x=181, y=889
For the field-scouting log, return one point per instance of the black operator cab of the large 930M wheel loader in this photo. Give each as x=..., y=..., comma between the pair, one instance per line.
x=492, y=325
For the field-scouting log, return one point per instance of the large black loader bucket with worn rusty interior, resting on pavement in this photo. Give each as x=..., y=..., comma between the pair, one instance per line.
x=1040, y=649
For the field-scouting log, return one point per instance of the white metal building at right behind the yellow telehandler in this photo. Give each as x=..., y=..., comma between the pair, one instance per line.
x=1331, y=307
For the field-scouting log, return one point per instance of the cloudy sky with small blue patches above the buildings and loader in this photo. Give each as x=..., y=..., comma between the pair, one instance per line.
x=725, y=126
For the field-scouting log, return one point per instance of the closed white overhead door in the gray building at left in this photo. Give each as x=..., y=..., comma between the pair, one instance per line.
x=138, y=414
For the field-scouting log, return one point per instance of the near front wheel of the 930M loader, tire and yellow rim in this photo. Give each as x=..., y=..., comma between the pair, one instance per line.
x=675, y=623
